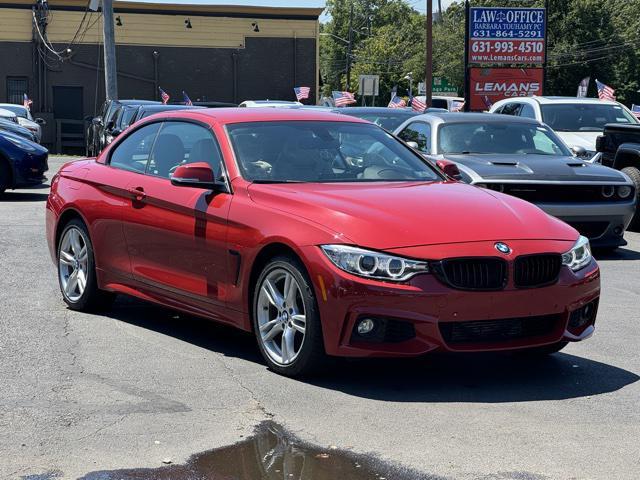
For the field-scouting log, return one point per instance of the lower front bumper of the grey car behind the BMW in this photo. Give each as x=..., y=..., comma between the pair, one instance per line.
x=602, y=223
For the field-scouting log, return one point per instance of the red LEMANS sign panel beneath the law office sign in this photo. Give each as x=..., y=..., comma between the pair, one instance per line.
x=488, y=85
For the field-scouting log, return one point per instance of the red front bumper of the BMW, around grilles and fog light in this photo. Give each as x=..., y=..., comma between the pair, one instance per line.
x=429, y=306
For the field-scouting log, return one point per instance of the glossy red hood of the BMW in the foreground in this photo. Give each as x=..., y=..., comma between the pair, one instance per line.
x=392, y=215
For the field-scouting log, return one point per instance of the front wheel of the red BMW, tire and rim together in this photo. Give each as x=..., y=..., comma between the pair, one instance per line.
x=286, y=320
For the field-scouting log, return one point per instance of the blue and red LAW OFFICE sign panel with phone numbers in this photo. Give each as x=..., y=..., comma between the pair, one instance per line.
x=507, y=35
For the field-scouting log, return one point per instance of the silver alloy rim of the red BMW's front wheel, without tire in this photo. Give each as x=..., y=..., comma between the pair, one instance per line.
x=281, y=316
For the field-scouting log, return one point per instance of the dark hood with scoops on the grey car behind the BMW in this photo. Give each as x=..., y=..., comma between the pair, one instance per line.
x=536, y=168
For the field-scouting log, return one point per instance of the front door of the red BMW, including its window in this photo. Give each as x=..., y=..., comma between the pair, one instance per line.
x=176, y=235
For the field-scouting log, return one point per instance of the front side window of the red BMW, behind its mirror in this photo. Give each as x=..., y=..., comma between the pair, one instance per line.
x=183, y=142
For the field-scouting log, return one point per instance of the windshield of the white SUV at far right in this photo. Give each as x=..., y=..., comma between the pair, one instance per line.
x=583, y=117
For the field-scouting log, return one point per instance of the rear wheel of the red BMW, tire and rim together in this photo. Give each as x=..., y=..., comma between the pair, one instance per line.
x=76, y=270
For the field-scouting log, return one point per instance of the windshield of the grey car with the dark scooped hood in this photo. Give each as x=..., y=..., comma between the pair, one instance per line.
x=499, y=138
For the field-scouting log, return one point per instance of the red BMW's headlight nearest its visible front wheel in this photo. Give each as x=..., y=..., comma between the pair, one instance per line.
x=376, y=265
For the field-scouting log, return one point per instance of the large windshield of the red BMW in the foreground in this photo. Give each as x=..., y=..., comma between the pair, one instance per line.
x=310, y=151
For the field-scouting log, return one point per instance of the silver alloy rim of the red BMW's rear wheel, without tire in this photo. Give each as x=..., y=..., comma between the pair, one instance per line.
x=73, y=264
